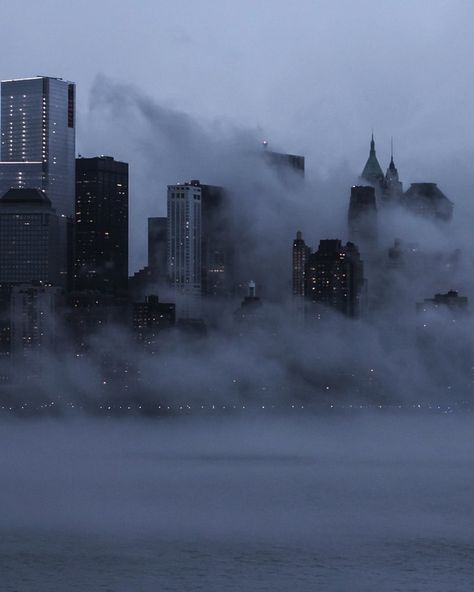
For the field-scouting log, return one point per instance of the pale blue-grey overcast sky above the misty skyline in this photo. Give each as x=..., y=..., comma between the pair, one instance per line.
x=315, y=76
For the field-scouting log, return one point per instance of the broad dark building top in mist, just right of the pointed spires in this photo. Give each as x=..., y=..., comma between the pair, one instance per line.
x=427, y=200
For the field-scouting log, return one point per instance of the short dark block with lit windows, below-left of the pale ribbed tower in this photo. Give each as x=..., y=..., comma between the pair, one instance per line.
x=150, y=318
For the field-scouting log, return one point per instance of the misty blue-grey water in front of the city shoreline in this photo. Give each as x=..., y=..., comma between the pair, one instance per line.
x=370, y=503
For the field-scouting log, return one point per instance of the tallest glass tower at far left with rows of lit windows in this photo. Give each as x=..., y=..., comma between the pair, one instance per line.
x=38, y=138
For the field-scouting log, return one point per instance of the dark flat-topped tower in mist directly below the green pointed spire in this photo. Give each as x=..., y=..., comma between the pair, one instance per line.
x=362, y=216
